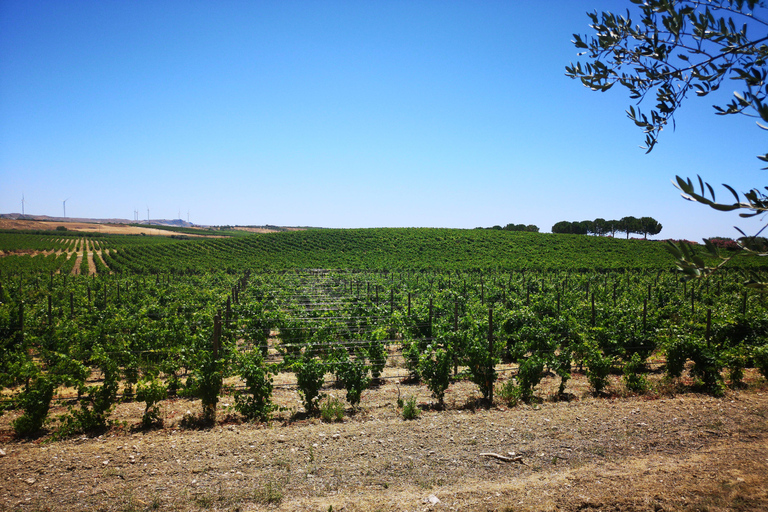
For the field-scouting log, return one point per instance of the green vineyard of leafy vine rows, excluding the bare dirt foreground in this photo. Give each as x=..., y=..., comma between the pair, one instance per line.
x=88, y=323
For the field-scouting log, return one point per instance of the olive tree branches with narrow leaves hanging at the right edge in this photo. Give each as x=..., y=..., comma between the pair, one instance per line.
x=677, y=48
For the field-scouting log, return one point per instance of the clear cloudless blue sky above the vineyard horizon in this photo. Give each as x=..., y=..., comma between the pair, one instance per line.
x=339, y=114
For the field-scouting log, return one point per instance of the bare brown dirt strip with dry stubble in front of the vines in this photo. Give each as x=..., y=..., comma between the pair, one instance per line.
x=662, y=451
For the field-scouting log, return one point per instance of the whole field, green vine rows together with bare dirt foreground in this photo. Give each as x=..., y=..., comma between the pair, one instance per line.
x=278, y=371
